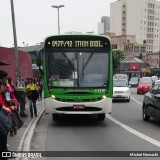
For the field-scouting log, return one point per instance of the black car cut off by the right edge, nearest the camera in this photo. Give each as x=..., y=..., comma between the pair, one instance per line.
x=151, y=104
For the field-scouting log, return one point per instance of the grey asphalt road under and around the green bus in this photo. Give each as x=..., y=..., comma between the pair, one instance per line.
x=123, y=130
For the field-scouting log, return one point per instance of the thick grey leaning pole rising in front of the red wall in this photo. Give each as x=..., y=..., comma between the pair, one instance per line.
x=15, y=41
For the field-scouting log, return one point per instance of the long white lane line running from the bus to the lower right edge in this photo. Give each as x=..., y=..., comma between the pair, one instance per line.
x=131, y=130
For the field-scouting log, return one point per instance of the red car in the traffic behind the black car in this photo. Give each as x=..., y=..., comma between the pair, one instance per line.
x=144, y=85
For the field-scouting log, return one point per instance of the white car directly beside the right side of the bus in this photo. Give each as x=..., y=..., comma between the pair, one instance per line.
x=121, y=90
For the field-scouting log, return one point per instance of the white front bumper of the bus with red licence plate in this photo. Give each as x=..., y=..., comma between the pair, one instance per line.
x=57, y=107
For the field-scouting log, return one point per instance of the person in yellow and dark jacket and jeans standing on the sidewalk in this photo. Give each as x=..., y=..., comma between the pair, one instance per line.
x=32, y=95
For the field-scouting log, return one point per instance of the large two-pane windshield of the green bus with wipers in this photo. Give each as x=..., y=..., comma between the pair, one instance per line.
x=77, y=69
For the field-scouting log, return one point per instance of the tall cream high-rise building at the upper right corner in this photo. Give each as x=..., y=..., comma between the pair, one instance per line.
x=137, y=17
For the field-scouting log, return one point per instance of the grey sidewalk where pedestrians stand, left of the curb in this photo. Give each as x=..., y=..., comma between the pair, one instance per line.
x=16, y=140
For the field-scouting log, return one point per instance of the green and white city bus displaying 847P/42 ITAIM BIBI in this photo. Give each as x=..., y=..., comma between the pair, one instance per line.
x=77, y=74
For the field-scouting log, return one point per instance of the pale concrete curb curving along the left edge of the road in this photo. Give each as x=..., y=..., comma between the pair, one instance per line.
x=26, y=139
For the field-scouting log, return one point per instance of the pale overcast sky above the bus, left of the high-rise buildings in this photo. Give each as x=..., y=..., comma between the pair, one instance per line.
x=36, y=19
